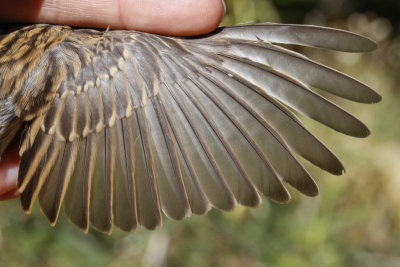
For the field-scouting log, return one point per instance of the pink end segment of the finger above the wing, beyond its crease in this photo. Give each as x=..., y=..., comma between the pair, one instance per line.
x=173, y=17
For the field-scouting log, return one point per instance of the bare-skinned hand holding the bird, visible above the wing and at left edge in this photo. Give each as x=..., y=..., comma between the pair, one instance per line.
x=168, y=17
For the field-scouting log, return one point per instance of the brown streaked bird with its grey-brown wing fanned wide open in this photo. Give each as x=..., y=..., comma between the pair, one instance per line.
x=117, y=127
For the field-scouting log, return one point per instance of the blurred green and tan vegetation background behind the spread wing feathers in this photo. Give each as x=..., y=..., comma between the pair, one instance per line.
x=354, y=222
